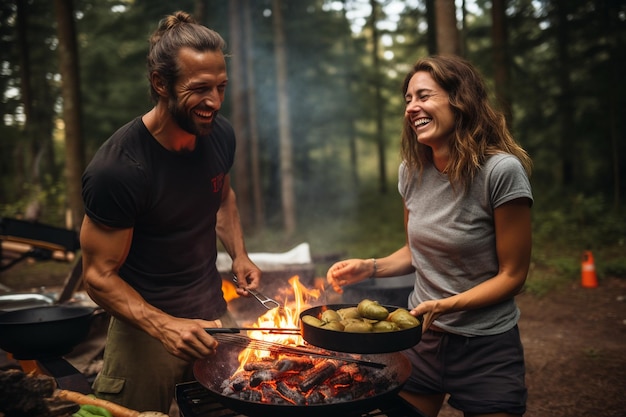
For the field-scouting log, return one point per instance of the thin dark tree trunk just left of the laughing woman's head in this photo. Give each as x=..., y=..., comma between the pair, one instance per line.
x=379, y=104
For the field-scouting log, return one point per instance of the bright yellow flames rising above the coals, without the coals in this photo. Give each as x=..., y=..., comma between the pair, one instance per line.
x=294, y=299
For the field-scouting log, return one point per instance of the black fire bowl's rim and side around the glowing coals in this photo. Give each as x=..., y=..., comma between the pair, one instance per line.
x=214, y=370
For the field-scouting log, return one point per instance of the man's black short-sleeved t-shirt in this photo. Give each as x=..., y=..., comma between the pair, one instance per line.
x=171, y=200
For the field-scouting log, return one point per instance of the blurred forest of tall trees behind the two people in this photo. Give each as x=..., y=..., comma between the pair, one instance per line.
x=315, y=99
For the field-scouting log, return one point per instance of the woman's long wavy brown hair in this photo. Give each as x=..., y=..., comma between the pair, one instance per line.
x=480, y=130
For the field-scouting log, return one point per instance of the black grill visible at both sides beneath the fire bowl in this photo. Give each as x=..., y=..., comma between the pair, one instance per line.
x=196, y=401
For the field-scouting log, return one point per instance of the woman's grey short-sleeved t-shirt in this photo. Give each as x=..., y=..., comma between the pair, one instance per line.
x=451, y=234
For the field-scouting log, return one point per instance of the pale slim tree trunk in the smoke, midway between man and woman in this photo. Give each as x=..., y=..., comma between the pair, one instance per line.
x=284, y=127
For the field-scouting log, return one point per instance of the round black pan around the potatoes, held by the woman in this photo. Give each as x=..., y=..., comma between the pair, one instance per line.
x=338, y=341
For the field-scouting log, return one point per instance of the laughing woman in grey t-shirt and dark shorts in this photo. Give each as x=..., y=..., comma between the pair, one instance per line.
x=467, y=199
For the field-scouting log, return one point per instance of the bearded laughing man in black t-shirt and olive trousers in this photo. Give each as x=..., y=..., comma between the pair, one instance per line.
x=157, y=196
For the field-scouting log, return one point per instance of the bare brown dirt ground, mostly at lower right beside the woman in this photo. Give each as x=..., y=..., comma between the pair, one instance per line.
x=575, y=347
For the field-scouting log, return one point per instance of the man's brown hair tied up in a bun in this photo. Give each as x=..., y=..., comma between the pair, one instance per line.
x=176, y=31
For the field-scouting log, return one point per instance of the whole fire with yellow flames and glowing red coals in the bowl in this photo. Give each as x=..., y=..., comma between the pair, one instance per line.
x=288, y=378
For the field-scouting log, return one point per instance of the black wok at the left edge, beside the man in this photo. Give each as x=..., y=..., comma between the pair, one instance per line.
x=44, y=332
